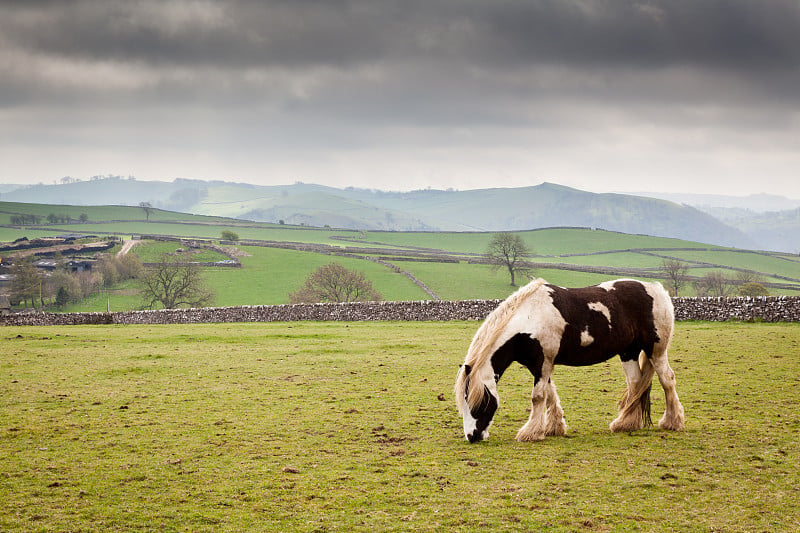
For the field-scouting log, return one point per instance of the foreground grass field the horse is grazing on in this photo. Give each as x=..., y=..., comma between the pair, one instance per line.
x=351, y=427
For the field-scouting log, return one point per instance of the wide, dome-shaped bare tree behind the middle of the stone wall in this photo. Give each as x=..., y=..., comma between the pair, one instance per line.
x=335, y=283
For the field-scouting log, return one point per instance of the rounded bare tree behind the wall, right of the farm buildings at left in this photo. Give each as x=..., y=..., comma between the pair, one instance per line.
x=175, y=283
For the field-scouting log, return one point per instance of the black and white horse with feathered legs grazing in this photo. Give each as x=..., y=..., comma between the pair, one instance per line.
x=543, y=325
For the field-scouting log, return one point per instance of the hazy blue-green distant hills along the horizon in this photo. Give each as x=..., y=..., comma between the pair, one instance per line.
x=545, y=205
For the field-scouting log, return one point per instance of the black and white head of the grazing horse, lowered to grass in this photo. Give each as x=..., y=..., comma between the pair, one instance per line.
x=477, y=400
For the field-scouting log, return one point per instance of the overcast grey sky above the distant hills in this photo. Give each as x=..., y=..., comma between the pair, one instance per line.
x=614, y=95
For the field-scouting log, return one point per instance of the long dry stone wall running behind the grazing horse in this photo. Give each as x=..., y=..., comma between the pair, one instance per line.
x=767, y=309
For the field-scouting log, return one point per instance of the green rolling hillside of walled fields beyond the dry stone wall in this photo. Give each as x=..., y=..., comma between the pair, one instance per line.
x=275, y=258
